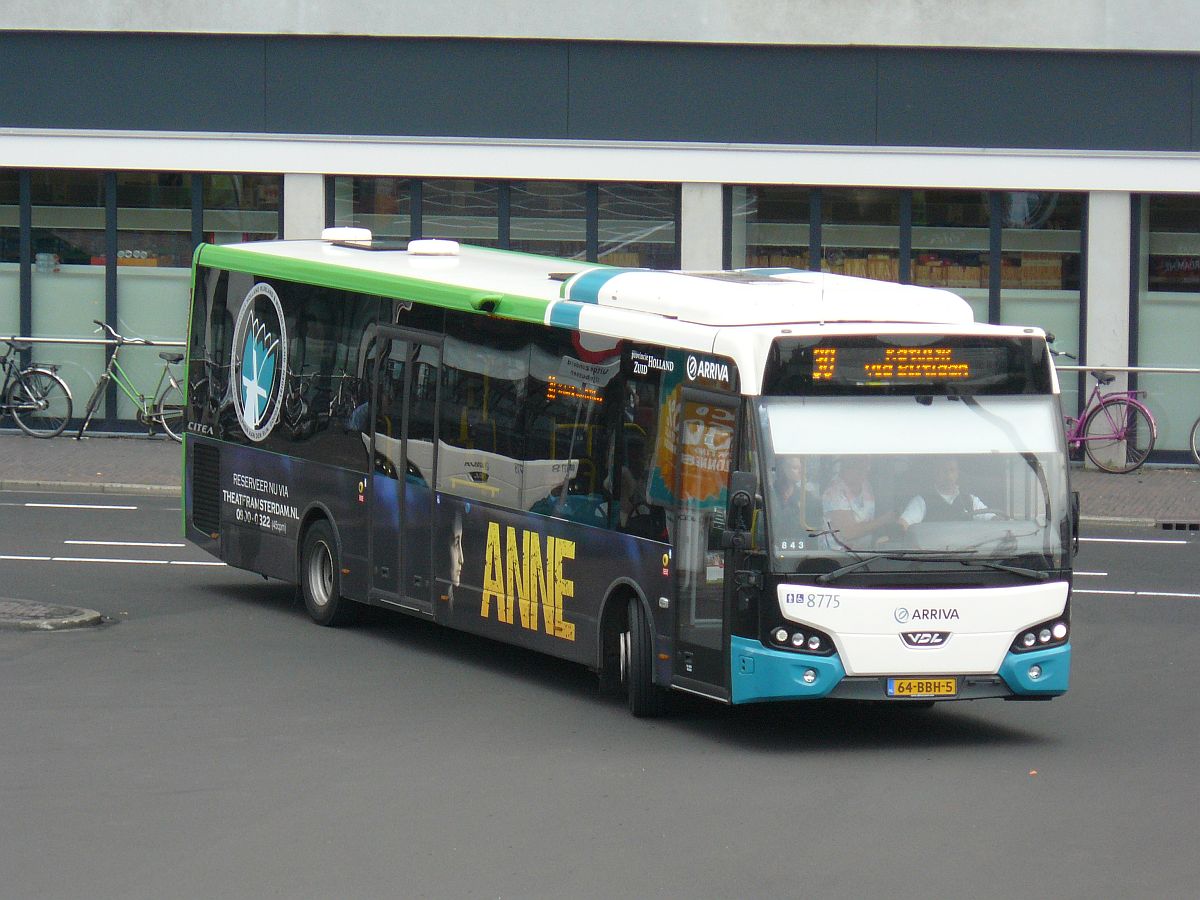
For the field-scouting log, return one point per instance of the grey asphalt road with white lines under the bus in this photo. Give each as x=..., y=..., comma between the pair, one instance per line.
x=212, y=742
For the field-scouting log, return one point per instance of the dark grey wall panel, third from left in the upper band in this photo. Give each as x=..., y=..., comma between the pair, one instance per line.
x=723, y=94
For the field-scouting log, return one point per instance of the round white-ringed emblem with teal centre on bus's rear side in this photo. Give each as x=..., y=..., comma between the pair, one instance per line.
x=260, y=362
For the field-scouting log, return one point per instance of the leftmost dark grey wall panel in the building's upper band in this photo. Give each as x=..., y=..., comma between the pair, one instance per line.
x=141, y=82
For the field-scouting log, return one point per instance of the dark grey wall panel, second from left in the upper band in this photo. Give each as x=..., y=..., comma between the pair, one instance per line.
x=422, y=88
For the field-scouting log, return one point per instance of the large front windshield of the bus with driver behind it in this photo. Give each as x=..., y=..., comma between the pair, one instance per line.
x=938, y=477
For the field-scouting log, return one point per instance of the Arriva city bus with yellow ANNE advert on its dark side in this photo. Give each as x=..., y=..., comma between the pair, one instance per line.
x=753, y=487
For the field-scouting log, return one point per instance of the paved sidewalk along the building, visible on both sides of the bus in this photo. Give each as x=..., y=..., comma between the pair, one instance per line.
x=137, y=465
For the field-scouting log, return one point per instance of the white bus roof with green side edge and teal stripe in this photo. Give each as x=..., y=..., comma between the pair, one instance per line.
x=559, y=292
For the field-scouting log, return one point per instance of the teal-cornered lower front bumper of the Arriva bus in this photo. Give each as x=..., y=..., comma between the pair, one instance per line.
x=761, y=675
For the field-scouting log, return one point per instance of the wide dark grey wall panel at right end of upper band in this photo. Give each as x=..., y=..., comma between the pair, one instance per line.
x=1035, y=100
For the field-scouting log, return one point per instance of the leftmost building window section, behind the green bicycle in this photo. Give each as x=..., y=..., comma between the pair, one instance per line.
x=117, y=248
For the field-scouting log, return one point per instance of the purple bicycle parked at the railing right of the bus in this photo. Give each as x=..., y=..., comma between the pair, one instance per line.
x=1117, y=430
